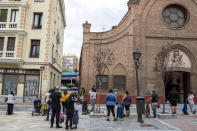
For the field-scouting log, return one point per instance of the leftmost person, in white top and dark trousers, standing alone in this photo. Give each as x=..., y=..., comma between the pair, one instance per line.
x=10, y=103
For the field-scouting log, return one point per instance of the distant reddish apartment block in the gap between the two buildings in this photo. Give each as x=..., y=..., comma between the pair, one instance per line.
x=70, y=63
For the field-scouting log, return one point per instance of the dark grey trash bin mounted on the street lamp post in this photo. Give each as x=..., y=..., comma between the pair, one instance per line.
x=140, y=104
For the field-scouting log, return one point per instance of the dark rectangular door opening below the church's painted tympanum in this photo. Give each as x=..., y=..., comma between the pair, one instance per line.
x=181, y=81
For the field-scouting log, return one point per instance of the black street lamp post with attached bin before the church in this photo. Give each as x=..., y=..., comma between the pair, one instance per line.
x=139, y=100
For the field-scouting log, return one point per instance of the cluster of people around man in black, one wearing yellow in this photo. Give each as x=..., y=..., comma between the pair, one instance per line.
x=56, y=101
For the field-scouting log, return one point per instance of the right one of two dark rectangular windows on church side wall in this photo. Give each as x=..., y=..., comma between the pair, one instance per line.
x=119, y=82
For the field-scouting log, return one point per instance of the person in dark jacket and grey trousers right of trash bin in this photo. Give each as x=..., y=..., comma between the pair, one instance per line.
x=154, y=102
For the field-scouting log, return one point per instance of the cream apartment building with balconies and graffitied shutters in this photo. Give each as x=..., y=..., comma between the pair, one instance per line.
x=31, y=46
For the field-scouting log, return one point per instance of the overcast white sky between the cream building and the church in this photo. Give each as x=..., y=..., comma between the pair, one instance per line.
x=100, y=13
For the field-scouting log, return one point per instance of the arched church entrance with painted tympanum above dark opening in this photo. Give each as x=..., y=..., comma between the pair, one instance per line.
x=178, y=74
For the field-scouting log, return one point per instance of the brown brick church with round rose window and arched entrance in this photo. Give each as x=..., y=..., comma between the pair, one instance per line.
x=148, y=25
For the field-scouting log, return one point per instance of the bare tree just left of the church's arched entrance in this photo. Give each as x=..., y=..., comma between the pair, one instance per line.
x=162, y=65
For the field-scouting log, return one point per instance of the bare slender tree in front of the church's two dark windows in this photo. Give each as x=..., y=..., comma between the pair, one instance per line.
x=102, y=59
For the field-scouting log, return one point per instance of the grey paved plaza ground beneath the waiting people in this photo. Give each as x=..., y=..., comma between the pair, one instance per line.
x=23, y=121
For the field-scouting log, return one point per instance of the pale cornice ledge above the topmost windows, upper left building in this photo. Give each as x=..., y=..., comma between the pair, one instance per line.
x=14, y=4
